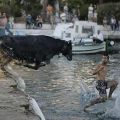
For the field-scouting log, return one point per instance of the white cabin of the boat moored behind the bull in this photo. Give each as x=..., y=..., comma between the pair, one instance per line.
x=78, y=30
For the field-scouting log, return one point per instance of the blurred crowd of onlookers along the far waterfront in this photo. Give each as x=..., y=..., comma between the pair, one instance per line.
x=59, y=17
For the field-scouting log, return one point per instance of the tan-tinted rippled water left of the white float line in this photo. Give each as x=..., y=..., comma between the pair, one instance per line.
x=10, y=102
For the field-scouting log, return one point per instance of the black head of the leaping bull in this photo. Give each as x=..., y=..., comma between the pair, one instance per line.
x=67, y=50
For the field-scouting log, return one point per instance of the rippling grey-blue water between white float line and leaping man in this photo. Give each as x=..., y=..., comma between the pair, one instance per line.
x=59, y=87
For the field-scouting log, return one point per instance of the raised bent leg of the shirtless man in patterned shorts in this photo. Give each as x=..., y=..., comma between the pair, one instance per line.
x=112, y=85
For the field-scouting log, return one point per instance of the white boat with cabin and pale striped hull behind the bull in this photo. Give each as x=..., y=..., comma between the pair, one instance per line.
x=81, y=34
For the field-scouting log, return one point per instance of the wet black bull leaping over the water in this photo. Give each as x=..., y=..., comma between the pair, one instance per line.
x=35, y=49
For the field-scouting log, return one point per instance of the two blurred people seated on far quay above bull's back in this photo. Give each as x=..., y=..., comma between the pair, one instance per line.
x=31, y=23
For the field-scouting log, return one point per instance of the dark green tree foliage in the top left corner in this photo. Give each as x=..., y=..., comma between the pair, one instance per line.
x=14, y=7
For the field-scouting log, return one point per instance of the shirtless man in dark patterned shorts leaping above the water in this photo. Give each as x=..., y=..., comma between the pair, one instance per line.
x=102, y=84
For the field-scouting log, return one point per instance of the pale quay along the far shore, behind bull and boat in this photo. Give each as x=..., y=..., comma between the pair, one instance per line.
x=47, y=30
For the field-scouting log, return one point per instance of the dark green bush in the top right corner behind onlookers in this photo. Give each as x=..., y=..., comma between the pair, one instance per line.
x=108, y=10
